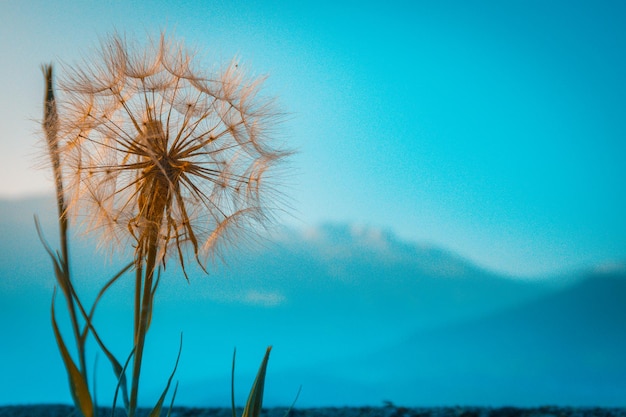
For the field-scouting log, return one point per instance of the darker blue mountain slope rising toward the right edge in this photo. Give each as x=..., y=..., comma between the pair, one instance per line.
x=566, y=348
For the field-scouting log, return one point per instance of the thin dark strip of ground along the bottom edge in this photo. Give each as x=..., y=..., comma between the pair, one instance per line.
x=388, y=411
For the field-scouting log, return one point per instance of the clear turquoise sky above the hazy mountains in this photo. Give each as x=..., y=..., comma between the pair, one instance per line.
x=493, y=129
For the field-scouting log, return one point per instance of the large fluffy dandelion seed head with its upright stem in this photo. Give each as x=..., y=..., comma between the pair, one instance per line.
x=170, y=158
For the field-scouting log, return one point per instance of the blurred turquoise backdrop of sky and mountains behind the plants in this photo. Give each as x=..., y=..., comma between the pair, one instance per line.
x=456, y=233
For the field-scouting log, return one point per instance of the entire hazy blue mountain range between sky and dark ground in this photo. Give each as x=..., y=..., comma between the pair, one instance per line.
x=356, y=316
